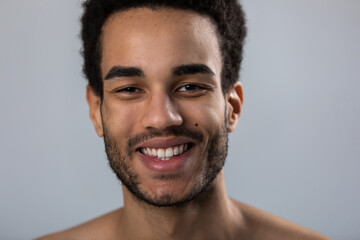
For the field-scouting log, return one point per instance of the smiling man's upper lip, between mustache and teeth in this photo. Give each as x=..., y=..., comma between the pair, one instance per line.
x=164, y=142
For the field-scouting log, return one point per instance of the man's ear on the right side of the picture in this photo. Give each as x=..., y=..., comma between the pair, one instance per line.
x=234, y=101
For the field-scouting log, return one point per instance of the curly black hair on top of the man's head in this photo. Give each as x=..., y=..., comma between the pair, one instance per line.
x=227, y=15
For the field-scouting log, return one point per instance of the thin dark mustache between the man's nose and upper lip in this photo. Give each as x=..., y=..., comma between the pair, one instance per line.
x=171, y=131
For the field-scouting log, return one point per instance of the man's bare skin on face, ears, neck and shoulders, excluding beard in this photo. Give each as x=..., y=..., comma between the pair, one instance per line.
x=156, y=42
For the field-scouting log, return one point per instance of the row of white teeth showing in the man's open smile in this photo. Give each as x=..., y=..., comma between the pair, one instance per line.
x=166, y=154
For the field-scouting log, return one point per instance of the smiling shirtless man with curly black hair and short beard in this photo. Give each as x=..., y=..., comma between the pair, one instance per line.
x=163, y=93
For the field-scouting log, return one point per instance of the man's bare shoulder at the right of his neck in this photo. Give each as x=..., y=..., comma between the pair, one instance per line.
x=263, y=225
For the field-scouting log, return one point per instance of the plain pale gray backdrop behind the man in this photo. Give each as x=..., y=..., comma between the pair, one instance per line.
x=295, y=152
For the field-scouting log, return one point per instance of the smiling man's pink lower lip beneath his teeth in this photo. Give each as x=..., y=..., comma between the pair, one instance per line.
x=171, y=165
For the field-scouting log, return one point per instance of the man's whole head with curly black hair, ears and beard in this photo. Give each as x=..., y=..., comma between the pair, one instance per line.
x=163, y=91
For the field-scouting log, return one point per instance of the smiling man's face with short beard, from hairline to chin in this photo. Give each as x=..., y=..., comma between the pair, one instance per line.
x=163, y=112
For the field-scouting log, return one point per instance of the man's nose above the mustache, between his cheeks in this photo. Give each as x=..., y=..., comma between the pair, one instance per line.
x=161, y=112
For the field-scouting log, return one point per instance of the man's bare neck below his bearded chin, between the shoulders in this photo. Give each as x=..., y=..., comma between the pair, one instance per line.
x=211, y=215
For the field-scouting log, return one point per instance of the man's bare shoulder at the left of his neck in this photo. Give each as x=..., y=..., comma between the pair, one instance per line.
x=93, y=229
